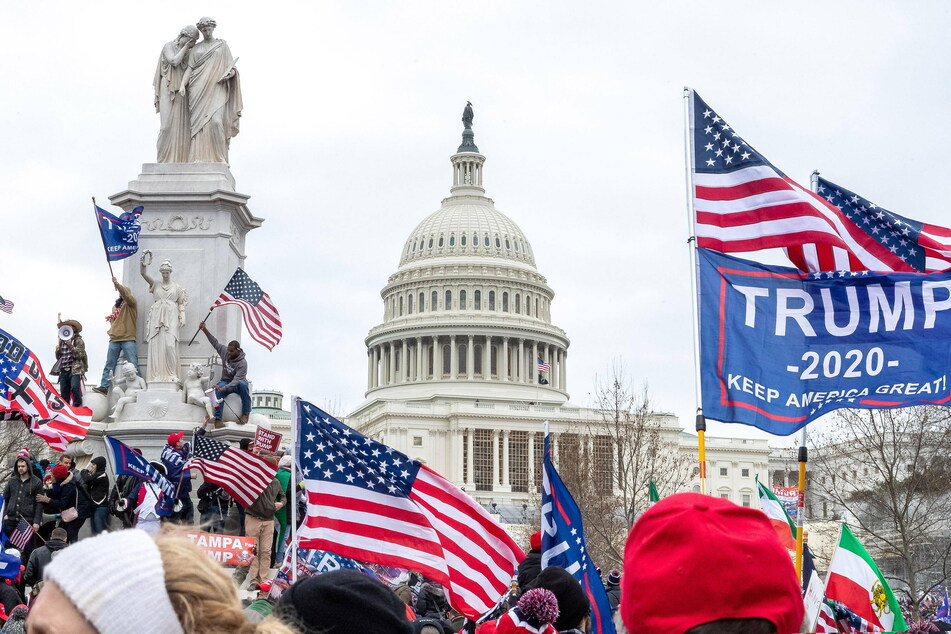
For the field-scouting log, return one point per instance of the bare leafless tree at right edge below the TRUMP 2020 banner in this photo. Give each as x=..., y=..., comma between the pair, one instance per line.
x=888, y=474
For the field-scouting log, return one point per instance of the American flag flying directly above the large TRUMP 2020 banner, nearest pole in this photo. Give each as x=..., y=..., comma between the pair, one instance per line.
x=743, y=203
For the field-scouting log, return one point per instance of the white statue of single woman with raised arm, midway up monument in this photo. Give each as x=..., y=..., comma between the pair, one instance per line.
x=166, y=318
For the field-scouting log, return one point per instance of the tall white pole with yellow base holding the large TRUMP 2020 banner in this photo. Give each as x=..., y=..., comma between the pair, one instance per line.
x=701, y=422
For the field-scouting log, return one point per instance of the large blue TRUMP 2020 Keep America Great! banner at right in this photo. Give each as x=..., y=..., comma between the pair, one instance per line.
x=779, y=347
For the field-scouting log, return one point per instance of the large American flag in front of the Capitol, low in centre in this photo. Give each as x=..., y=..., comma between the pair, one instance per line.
x=374, y=504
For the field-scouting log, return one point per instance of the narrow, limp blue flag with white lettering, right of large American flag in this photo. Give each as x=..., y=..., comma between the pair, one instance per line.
x=564, y=545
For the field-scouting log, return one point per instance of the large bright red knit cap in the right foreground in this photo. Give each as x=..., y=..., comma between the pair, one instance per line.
x=692, y=559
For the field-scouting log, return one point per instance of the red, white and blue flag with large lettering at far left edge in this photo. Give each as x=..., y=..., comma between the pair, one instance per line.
x=25, y=389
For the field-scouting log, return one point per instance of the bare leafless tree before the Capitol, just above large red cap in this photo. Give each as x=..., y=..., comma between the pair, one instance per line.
x=609, y=465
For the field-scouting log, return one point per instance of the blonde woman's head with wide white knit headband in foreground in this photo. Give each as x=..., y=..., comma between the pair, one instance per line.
x=126, y=581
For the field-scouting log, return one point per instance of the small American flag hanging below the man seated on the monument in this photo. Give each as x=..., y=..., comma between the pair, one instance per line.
x=242, y=474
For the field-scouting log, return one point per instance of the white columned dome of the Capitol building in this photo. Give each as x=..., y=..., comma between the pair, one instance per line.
x=467, y=313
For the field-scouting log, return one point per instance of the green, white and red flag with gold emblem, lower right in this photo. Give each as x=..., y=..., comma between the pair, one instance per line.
x=855, y=581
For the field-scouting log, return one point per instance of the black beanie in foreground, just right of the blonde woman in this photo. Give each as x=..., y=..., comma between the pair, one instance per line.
x=343, y=602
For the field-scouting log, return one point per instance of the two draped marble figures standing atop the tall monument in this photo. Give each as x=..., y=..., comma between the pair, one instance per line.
x=197, y=96
